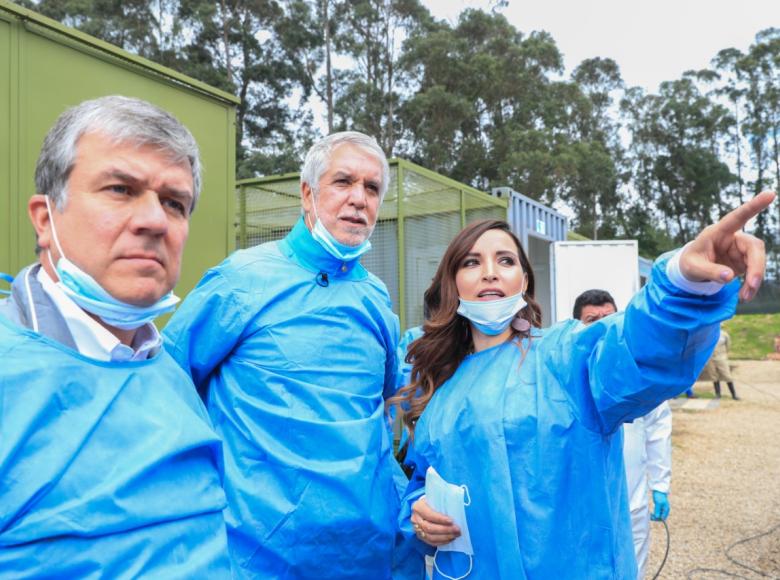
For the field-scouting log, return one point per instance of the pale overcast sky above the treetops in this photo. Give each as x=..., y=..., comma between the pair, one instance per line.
x=651, y=40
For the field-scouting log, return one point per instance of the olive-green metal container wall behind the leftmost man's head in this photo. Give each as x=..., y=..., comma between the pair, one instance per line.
x=44, y=69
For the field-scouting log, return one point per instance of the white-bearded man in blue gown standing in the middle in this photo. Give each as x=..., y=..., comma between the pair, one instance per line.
x=293, y=345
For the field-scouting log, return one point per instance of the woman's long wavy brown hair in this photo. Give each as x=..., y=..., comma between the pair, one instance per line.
x=447, y=335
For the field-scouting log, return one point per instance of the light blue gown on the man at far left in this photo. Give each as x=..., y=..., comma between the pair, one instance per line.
x=107, y=470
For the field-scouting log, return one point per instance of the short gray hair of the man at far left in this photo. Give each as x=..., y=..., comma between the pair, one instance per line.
x=123, y=120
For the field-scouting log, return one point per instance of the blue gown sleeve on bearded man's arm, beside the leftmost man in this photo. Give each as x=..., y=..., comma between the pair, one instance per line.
x=208, y=324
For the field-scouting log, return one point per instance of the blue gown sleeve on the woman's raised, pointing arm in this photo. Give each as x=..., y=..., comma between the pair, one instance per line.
x=625, y=365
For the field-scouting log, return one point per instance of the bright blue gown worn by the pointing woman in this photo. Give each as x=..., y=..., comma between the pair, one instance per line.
x=537, y=441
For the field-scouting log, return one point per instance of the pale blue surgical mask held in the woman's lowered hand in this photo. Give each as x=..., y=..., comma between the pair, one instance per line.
x=451, y=500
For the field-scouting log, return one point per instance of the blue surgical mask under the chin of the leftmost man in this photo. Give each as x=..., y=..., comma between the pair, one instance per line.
x=85, y=291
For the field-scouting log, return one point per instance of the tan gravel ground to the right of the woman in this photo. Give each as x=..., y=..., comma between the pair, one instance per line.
x=725, y=497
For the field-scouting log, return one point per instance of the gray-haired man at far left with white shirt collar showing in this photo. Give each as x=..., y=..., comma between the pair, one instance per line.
x=109, y=466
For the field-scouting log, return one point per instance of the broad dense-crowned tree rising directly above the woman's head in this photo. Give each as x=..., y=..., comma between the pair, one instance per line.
x=476, y=111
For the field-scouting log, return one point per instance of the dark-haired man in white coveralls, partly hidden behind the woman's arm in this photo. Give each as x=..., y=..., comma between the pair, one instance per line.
x=647, y=445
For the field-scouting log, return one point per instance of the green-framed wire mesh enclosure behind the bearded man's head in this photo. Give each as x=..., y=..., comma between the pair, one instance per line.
x=432, y=210
